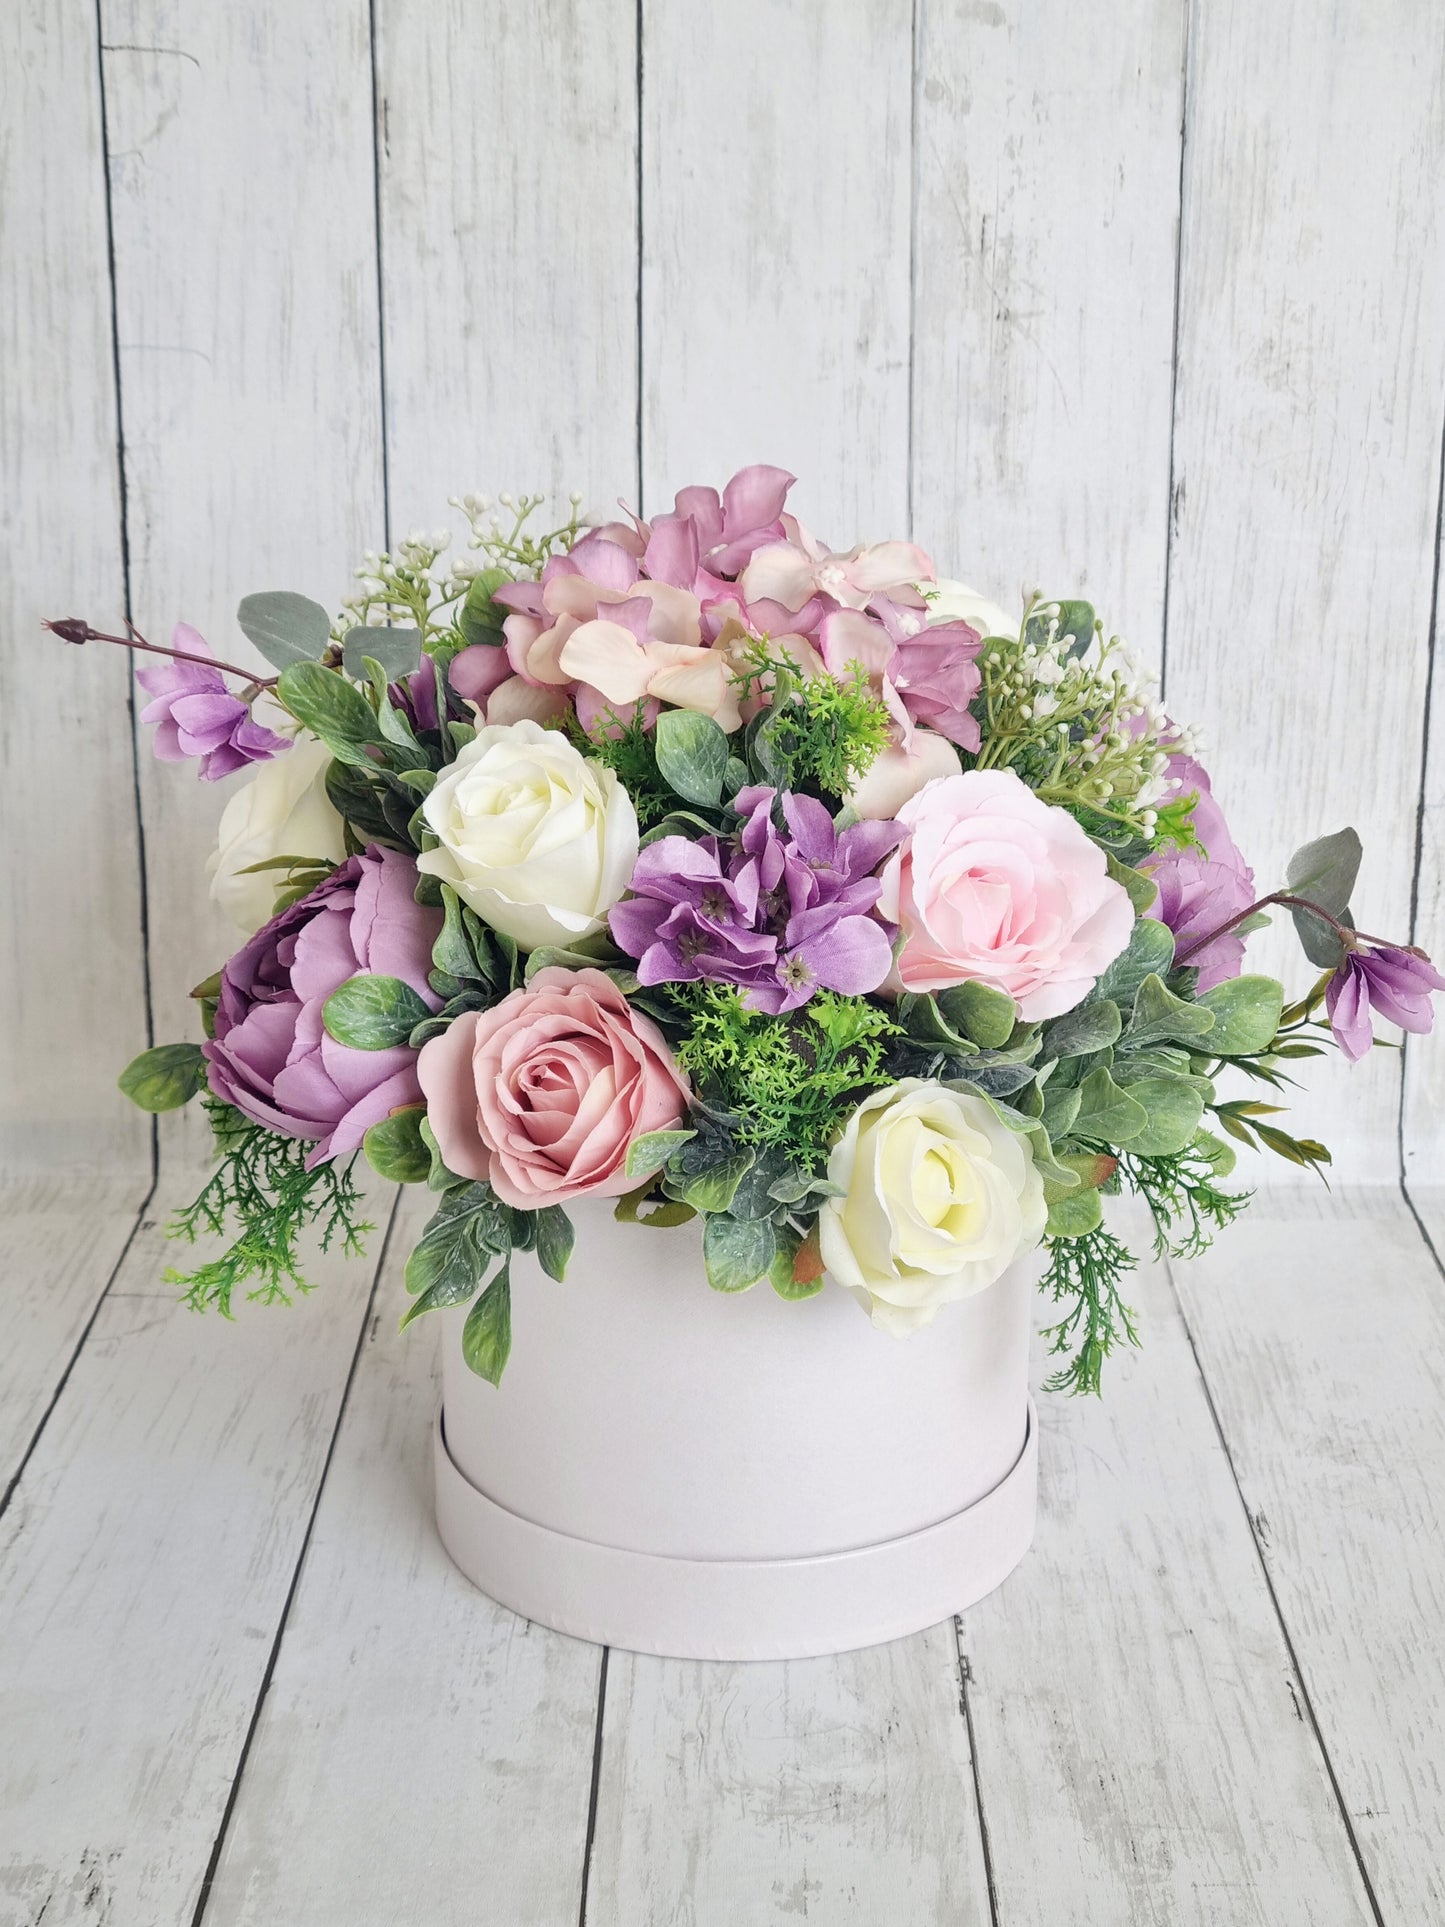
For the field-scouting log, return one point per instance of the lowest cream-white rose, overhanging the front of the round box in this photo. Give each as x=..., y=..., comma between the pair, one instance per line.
x=939, y=1198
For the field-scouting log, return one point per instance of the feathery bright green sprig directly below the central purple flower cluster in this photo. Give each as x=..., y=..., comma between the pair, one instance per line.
x=789, y=1080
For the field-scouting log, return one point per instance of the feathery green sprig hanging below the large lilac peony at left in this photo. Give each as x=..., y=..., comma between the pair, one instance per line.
x=263, y=1186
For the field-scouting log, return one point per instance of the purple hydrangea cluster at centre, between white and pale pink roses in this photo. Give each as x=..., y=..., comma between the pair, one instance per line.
x=779, y=912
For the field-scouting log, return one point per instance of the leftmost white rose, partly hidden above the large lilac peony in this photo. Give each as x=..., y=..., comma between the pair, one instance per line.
x=282, y=810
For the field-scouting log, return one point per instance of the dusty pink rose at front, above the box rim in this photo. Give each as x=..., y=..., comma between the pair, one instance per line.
x=544, y=1094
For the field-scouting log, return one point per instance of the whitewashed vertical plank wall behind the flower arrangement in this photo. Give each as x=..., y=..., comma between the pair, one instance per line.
x=1103, y=311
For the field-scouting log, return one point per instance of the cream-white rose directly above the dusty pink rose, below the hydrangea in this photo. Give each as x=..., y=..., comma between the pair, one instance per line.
x=539, y=839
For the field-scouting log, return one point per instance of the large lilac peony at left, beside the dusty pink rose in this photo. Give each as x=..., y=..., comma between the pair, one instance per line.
x=273, y=1057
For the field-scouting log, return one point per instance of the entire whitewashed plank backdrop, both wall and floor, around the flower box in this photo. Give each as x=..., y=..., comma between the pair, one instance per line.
x=1145, y=302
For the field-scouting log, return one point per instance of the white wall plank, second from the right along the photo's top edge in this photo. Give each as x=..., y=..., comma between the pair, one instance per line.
x=1043, y=296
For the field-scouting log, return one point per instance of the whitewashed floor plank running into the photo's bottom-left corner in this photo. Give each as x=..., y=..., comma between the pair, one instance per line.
x=145, y=1562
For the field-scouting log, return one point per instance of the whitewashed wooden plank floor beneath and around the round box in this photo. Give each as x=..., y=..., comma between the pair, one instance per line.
x=240, y=1681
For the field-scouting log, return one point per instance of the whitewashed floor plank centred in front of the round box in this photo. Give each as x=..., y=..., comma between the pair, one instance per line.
x=826, y=1789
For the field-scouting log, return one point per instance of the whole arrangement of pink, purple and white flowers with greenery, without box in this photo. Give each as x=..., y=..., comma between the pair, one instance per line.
x=696, y=866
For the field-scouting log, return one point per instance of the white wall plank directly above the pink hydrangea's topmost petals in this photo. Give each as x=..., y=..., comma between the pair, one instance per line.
x=775, y=255
